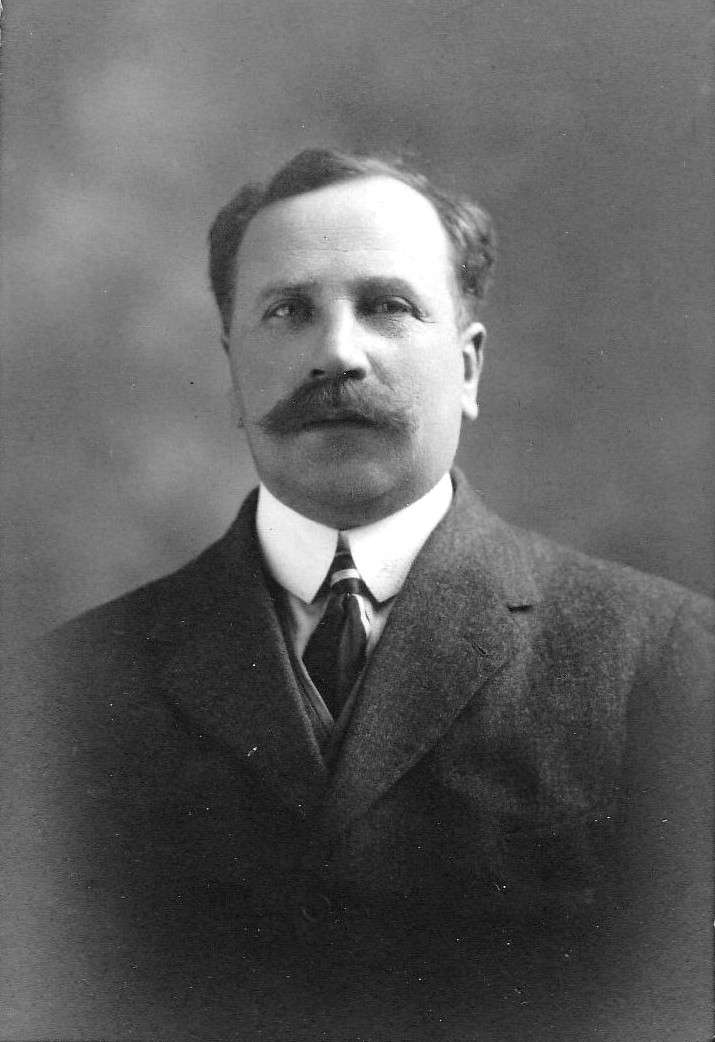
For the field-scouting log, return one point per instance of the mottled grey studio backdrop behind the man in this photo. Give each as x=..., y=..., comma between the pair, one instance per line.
x=582, y=127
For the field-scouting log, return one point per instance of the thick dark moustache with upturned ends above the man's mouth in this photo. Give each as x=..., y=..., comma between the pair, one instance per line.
x=338, y=401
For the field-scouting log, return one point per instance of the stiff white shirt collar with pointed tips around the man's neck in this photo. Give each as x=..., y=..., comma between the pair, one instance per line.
x=300, y=552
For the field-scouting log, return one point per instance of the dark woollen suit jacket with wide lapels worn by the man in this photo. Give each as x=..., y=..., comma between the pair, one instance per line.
x=513, y=842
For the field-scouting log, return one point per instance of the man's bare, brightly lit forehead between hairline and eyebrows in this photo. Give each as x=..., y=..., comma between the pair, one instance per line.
x=365, y=229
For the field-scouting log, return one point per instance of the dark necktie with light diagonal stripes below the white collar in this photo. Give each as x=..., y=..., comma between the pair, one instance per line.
x=336, y=653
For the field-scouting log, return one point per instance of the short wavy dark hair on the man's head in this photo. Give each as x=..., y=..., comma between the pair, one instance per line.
x=467, y=226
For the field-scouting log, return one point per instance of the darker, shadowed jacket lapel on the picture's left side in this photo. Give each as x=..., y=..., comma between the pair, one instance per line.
x=224, y=664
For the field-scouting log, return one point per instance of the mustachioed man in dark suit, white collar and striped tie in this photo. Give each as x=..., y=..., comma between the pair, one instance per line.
x=377, y=765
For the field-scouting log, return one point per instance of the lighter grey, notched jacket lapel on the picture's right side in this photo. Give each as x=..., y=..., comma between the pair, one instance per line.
x=451, y=630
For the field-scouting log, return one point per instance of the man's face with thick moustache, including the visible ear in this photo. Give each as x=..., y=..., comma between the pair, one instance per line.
x=352, y=365
